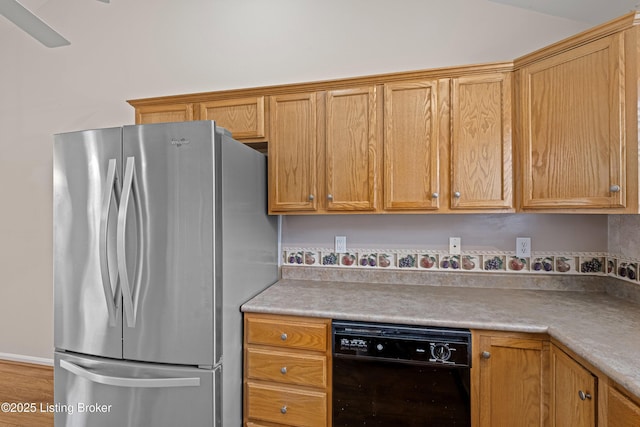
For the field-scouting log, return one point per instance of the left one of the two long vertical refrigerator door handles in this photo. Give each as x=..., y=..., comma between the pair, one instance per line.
x=111, y=191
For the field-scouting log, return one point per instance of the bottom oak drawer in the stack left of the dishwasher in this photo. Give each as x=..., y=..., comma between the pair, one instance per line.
x=287, y=406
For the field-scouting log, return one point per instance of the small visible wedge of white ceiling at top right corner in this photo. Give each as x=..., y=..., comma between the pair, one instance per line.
x=590, y=11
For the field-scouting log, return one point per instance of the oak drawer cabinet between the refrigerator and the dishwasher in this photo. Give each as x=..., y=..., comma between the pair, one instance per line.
x=287, y=371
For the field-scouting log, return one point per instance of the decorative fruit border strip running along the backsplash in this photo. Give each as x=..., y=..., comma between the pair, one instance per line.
x=592, y=263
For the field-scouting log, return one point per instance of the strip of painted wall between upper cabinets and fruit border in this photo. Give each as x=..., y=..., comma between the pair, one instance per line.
x=488, y=232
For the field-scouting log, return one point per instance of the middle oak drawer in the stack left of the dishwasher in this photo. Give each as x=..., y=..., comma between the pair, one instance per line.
x=289, y=368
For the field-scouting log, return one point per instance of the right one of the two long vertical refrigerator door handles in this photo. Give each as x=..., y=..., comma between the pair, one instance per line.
x=130, y=188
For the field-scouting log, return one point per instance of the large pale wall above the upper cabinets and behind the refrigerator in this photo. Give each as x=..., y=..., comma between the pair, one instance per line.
x=133, y=49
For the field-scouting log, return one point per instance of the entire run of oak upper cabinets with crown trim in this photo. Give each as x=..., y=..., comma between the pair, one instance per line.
x=555, y=130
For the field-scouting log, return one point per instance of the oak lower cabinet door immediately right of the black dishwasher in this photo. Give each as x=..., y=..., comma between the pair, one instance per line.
x=511, y=381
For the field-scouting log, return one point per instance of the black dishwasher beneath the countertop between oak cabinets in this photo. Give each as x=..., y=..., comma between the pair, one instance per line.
x=400, y=375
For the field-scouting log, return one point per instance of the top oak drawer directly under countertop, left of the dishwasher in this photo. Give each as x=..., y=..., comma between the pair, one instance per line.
x=287, y=333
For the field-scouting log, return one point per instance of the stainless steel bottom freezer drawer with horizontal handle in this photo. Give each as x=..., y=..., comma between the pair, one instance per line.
x=97, y=392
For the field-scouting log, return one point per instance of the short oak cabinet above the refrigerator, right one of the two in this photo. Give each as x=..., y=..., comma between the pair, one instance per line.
x=243, y=117
